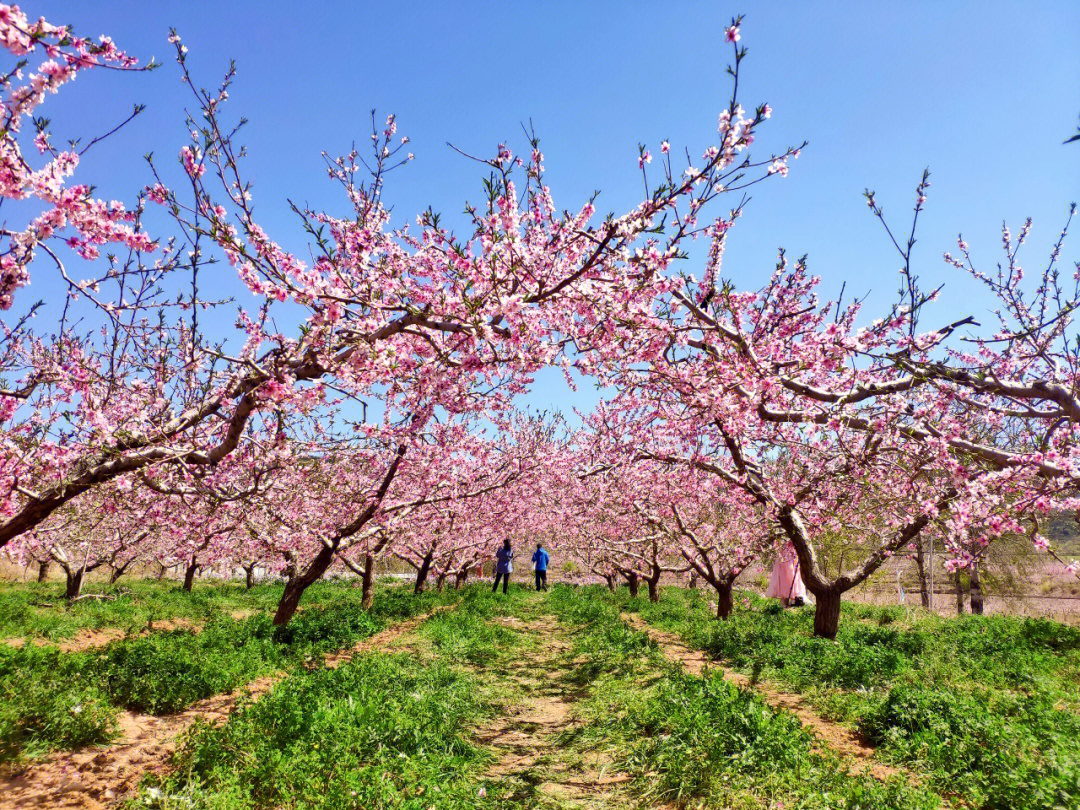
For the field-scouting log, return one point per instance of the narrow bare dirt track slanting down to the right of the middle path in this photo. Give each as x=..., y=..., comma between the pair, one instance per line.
x=836, y=738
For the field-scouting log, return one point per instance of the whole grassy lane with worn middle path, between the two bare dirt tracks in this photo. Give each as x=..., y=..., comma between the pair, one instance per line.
x=534, y=701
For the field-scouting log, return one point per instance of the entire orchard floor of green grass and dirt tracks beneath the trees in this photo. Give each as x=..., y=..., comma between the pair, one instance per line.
x=577, y=698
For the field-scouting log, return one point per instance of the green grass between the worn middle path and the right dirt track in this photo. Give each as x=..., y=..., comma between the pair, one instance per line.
x=703, y=742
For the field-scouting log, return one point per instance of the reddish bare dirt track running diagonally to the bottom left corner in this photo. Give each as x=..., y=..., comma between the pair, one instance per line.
x=100, y=778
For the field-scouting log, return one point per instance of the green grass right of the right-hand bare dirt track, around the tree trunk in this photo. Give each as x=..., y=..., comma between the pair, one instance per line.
x=985, y=707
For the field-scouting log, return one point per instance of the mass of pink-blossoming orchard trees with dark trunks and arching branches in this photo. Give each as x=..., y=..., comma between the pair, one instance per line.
x=363, y=407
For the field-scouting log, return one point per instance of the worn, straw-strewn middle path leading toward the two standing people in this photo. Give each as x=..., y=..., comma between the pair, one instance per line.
x=530, y=740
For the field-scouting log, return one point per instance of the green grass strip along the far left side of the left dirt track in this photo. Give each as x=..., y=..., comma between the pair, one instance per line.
x=51, y=700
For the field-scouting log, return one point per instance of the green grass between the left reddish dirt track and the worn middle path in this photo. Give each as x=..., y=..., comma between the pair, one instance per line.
x=385, y=731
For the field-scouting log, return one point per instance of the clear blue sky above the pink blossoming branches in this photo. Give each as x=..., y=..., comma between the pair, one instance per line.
x=984, y=93
